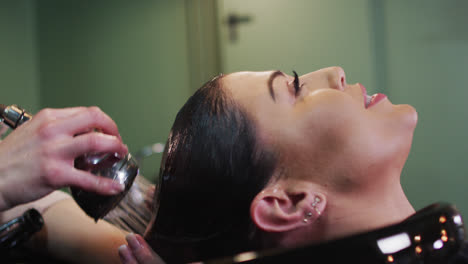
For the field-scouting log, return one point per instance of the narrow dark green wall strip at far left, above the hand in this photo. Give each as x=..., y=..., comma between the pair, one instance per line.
x=18, y=54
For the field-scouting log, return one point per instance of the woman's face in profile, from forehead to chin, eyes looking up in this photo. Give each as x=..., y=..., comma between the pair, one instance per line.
x=323, y=128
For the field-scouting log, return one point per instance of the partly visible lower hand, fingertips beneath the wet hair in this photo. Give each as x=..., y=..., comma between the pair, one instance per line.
x=138, y=252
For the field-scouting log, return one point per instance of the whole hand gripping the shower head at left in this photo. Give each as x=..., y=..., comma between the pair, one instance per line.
x=38, y=156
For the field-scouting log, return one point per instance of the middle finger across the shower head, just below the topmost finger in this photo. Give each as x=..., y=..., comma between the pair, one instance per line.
x=93, y=142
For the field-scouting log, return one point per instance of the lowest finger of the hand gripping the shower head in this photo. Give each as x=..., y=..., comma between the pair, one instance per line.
x=63, y=176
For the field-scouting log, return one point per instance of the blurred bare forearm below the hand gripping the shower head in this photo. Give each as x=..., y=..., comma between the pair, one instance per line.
x=72, y=236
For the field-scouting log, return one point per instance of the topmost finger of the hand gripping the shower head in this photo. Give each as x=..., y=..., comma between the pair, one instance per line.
x=89, y=118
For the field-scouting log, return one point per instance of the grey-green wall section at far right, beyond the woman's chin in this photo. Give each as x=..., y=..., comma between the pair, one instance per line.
x=427, y=63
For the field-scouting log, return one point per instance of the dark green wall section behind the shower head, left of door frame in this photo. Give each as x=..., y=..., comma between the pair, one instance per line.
x=127, y=57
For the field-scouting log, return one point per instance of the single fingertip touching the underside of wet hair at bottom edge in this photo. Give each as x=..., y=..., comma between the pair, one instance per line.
x=141, y=251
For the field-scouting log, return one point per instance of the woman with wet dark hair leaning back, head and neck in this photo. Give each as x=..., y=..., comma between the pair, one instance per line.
x=264, y=159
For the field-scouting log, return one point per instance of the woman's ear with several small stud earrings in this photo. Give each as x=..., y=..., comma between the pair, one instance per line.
x=276, y=209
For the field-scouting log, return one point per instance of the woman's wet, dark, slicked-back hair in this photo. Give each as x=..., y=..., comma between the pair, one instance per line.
x=212, y=168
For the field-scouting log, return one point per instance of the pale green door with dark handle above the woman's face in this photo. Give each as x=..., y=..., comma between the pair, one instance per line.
x=301, y=35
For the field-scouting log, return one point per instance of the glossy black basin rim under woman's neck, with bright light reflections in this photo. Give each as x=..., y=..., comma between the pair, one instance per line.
x=432, y=235
